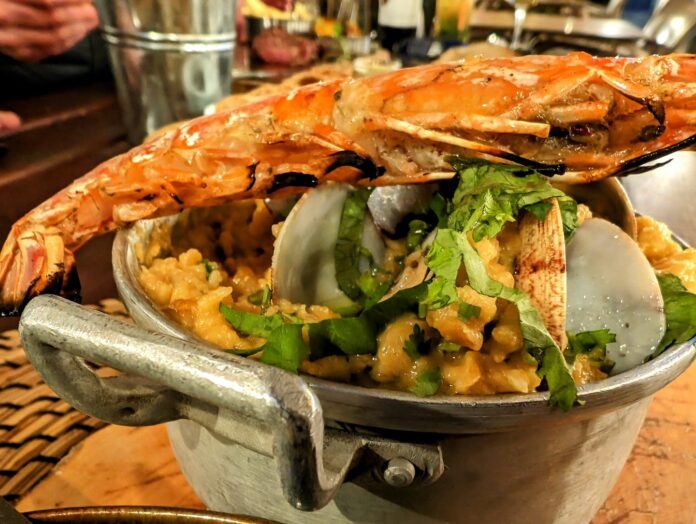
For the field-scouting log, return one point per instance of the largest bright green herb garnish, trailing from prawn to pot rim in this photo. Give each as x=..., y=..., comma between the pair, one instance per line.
x=488, y=197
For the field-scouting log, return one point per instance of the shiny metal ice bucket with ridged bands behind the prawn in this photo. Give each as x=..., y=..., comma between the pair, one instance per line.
x=172, y=59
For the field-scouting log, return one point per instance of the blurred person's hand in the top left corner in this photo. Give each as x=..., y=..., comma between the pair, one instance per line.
x=31, y=30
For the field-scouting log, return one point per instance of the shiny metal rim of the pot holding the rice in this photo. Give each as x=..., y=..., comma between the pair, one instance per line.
x=402, y=411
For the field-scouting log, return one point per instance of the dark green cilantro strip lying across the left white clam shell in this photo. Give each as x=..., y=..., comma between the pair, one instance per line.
x=348, y=250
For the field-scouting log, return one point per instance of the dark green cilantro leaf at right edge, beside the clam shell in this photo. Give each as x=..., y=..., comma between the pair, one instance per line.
x=680, y=312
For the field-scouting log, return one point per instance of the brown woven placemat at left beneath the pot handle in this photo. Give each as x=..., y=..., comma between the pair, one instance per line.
x=37, y=428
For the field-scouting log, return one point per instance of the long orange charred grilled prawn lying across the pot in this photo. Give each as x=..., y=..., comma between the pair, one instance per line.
x=576, y=117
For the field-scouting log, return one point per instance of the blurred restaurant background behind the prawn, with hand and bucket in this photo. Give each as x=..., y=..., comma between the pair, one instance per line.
x=82, y=80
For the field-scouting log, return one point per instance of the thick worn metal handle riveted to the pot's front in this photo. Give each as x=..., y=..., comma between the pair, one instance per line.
x=170, y=379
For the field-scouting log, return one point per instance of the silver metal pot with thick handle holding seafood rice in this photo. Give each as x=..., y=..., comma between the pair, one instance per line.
x=256, y=440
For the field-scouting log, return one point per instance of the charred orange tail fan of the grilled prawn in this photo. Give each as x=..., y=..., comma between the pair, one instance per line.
x=35, y=261
